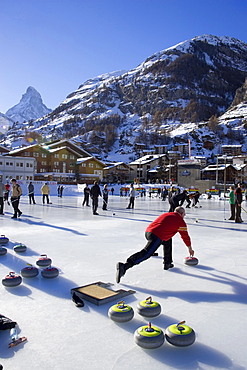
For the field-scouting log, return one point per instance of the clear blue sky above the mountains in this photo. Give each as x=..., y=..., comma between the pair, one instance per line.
x=56, y=45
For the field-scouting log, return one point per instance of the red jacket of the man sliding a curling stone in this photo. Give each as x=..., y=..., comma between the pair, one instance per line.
x=167, y=225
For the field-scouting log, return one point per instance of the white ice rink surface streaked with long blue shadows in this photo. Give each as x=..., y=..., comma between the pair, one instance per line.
x=211, y=296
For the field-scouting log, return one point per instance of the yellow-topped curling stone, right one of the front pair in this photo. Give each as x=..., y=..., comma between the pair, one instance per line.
x=180, y=335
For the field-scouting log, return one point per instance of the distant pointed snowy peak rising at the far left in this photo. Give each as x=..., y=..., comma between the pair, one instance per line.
x=30, y=107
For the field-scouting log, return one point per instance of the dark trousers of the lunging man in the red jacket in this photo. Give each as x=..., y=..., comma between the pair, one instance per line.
x=152, y=245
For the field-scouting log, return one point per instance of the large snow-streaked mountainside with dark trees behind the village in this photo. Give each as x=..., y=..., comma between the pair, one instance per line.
x=174, y=95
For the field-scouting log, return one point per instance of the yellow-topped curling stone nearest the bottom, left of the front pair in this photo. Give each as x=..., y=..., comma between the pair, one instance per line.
x=149, y=337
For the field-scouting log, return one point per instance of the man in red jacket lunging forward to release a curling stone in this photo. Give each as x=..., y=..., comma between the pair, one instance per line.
x=160, y=231
